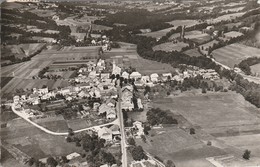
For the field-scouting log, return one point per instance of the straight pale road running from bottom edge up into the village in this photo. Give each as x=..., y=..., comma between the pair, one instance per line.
x=122, y=128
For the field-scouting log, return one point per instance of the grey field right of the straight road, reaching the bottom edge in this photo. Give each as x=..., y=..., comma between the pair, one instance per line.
x=178, y=145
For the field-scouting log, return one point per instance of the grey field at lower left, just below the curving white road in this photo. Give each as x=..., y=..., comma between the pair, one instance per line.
x=35, y=142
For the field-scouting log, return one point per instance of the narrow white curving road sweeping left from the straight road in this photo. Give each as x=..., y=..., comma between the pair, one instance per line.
x=58, y=133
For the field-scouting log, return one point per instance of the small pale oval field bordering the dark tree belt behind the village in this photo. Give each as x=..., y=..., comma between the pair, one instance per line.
x=170, y=46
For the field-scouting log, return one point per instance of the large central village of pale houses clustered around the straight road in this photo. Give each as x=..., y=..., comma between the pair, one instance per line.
x=93, y=97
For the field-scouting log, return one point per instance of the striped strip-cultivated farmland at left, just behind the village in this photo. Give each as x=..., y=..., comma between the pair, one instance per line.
x=22, y=73
